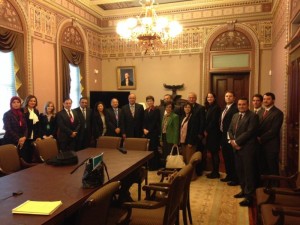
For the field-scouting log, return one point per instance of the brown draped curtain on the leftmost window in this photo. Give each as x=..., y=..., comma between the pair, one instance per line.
x=14, y=41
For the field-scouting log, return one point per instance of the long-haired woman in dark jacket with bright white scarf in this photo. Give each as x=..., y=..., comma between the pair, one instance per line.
x=33, y=125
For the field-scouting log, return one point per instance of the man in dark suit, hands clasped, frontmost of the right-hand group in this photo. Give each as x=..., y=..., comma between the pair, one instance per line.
x=242, y=135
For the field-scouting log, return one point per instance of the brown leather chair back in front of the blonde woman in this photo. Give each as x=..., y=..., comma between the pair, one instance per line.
x=46, y=148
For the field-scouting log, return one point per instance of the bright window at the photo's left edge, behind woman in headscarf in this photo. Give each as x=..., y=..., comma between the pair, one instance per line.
x=7, y=83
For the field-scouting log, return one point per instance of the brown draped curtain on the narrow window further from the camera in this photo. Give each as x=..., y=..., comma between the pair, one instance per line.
x=74, y=57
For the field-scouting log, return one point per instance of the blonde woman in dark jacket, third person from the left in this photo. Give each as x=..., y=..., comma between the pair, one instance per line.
x=48, y=121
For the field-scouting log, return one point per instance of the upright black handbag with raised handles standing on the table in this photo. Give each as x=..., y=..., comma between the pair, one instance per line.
x=94, y=177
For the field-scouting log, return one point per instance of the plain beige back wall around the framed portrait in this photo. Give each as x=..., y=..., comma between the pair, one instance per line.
x=152, y=73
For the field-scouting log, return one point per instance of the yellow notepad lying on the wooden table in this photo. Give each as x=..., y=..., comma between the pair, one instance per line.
x=37, y=207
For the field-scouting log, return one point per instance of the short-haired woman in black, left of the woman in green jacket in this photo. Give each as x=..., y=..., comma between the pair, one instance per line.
x=151, y=129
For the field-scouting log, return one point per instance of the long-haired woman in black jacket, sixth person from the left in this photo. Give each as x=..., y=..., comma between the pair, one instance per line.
x=99, y=120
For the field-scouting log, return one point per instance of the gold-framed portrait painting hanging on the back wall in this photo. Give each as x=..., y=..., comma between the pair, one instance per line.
x=126, y=78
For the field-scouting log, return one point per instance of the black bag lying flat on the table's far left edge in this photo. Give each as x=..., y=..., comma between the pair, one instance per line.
x=64, y=159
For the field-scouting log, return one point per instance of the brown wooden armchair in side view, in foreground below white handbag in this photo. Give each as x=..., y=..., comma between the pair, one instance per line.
x=165, y=212
